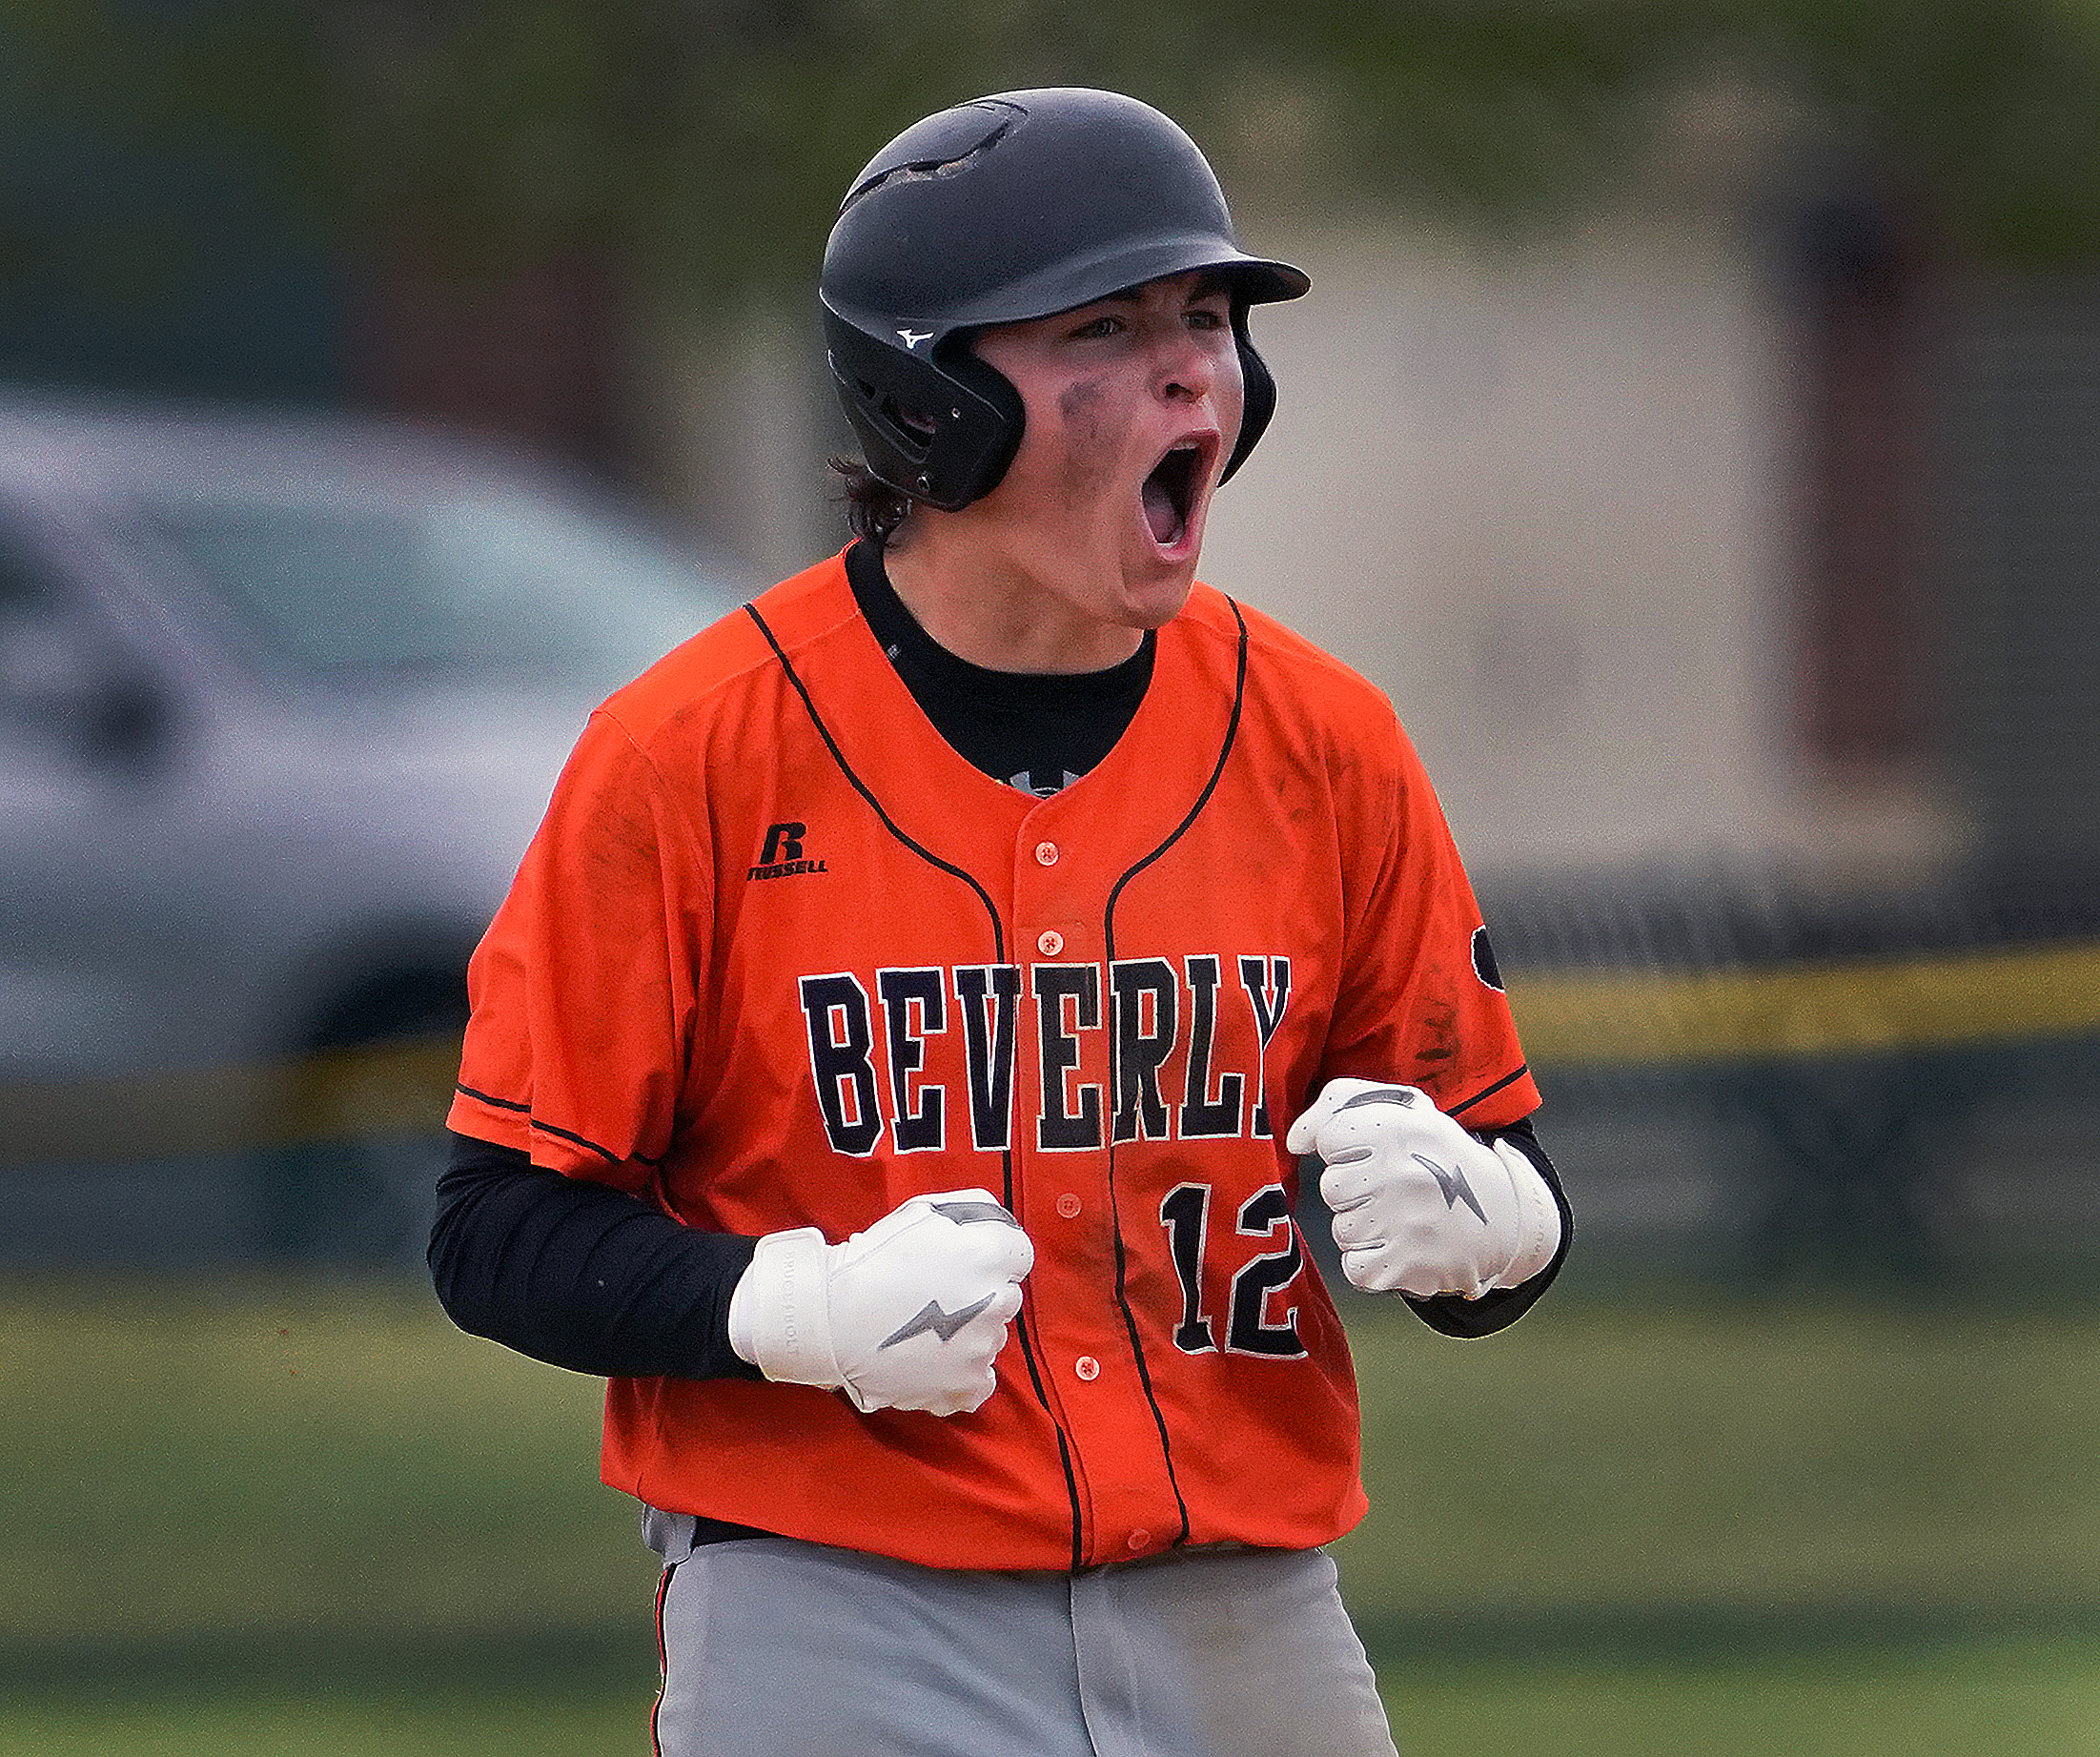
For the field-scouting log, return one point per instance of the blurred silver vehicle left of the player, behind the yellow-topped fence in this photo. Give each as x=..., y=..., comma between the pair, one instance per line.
x=280, y=706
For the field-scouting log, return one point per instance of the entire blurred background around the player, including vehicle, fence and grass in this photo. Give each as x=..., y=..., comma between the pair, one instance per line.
x=1696, y=429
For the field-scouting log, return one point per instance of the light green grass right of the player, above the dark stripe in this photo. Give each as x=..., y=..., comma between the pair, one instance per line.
x=1744, y=1466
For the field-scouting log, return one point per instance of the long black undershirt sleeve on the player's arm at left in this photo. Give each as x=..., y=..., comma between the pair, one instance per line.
x=581, y=1275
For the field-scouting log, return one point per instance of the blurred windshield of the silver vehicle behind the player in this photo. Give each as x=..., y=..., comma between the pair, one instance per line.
x=478, y=580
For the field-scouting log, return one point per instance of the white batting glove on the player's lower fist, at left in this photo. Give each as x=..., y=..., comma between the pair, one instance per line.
x=906, y=1315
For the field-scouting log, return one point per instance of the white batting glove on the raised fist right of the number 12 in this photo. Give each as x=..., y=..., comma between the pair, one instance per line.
x=1419, y=1204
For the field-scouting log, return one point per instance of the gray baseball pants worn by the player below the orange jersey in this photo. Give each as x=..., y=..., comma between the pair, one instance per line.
x=780, y=1649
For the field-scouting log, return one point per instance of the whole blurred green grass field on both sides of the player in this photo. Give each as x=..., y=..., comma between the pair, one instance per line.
x=316, y=1519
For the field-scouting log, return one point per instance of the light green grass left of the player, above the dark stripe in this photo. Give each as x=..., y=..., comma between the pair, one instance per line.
x=297, y=1466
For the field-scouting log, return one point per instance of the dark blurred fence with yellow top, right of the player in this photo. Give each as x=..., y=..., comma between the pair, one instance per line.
x=1771, y=1082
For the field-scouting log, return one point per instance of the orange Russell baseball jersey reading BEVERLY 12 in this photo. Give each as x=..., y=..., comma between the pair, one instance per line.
x=782, y=958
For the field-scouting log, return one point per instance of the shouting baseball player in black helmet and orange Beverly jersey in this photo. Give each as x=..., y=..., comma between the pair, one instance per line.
x=896, y=1055
